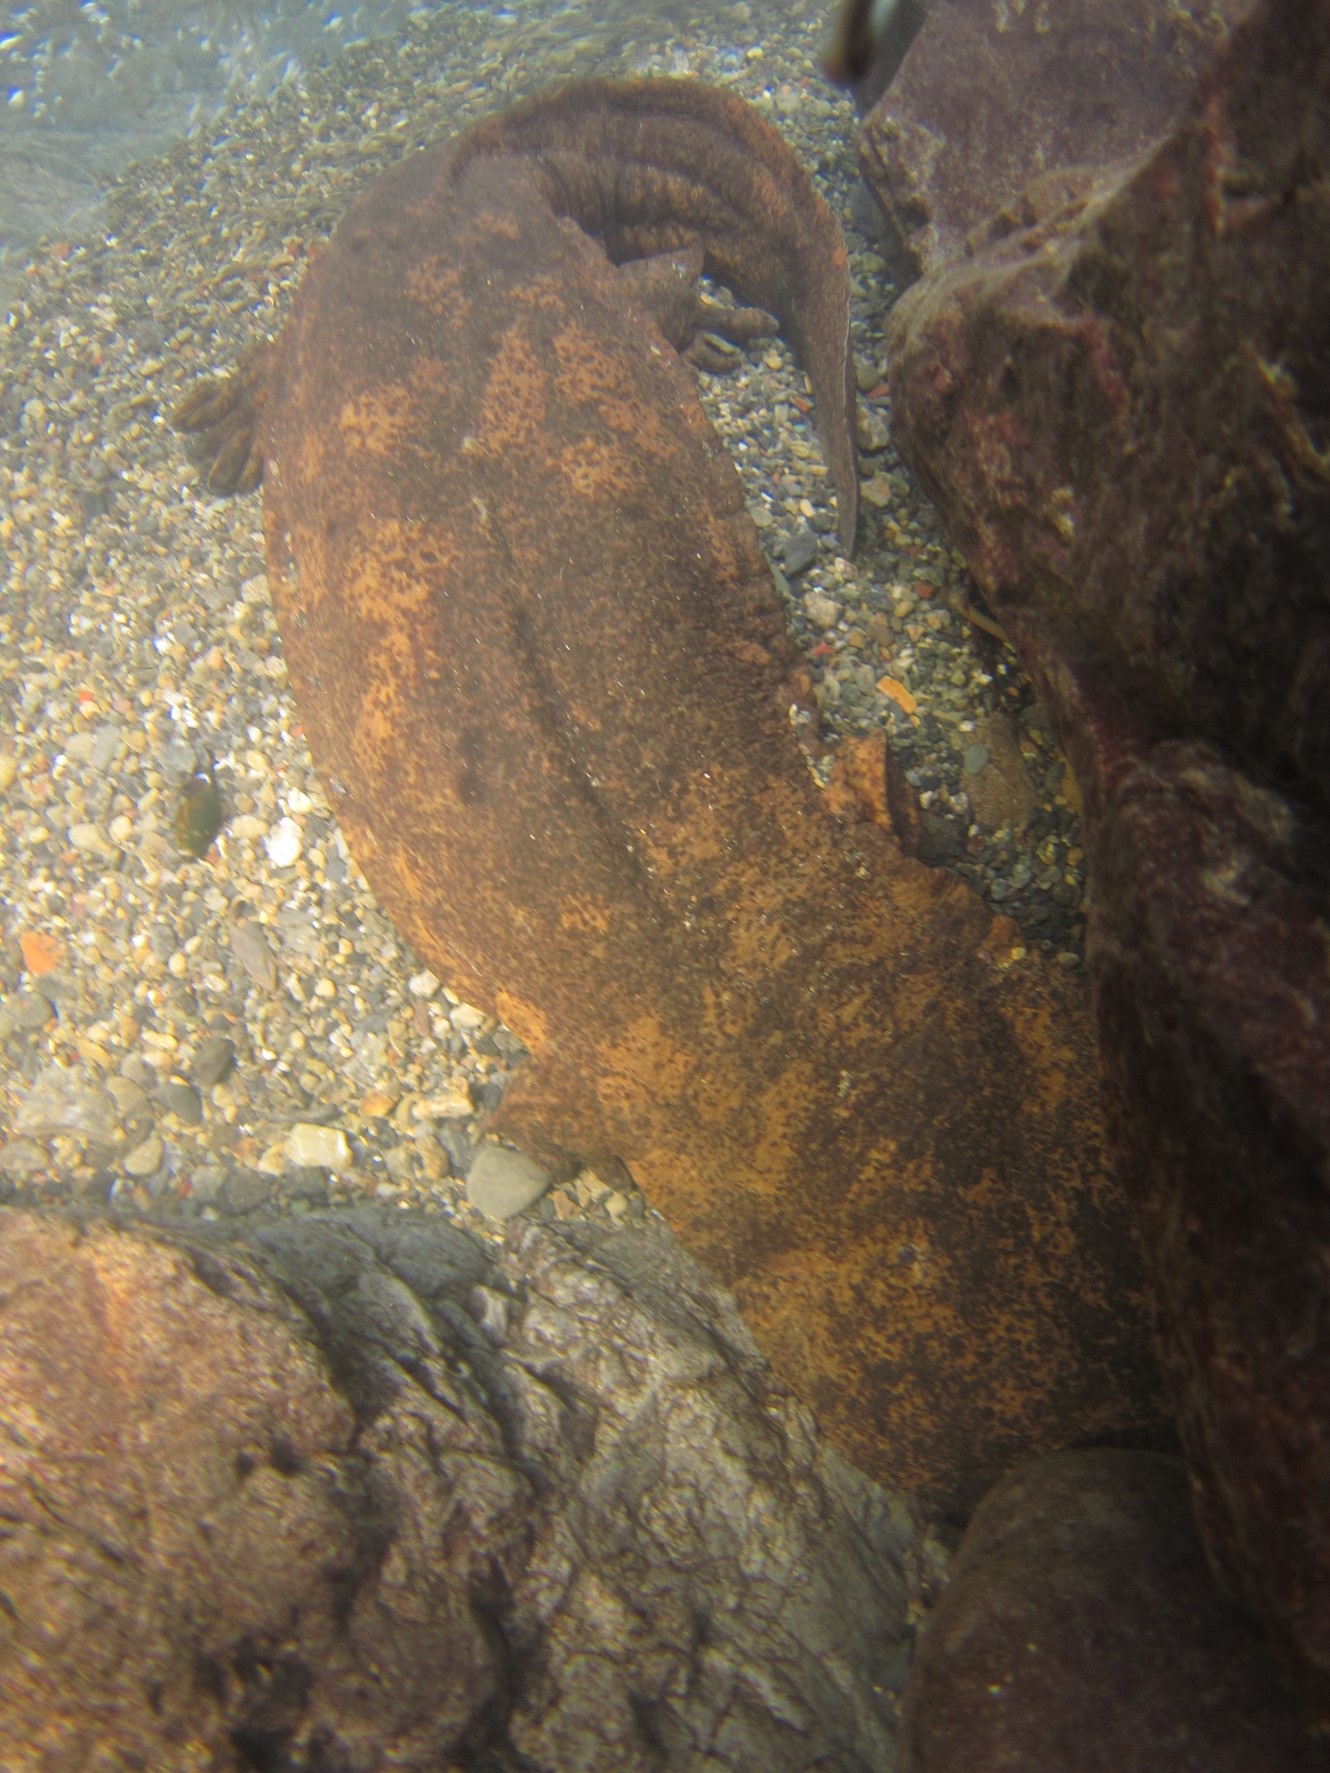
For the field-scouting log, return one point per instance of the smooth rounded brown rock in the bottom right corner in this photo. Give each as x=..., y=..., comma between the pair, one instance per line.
x=1083, y=1629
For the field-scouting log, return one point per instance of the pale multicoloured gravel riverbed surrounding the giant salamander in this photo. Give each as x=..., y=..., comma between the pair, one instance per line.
x=246, y=1031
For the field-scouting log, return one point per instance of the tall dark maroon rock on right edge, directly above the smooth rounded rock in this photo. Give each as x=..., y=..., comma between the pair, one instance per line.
x=1214, y=999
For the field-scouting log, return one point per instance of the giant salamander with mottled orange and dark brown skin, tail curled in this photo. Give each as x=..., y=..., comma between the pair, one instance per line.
x=547, y=683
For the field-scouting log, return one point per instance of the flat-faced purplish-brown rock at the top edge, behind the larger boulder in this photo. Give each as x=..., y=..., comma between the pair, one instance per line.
x=990, y=98
